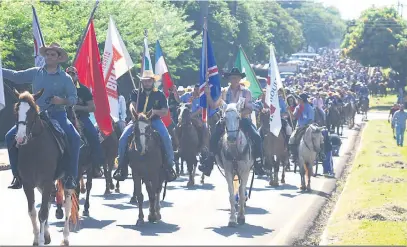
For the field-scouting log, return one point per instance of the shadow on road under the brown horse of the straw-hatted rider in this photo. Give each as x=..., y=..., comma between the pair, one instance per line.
x=153, y=229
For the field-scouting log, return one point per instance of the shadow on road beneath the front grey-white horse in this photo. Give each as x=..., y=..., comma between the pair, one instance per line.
x=244, y=231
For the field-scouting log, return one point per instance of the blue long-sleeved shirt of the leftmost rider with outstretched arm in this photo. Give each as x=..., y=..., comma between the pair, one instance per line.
x=56, y=84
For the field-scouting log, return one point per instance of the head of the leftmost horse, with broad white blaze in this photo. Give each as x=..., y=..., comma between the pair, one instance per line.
x=27, y=113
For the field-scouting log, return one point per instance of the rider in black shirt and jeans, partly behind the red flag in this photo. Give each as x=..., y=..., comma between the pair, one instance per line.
x=82, y=109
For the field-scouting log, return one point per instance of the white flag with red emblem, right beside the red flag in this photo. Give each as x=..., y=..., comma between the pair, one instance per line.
x=116, y=62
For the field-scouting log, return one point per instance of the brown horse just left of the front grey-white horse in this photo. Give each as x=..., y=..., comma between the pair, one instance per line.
x=189, y=138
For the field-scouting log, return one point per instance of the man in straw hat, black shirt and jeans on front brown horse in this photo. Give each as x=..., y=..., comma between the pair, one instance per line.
x=151, y=101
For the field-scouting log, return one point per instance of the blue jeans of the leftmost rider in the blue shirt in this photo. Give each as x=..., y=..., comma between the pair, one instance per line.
x=73, y=139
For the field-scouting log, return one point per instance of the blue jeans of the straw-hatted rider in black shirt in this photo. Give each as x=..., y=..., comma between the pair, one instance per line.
x=159, y=126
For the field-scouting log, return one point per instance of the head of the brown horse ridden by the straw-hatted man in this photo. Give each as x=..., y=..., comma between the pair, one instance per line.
x=143, y=132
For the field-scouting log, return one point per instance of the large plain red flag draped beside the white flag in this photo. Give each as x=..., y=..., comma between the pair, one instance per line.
x=90, y=73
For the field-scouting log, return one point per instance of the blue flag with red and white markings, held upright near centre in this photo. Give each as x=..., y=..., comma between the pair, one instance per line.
x=213, y=74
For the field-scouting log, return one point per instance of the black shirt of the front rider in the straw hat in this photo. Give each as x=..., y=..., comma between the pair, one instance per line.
x=156, y=101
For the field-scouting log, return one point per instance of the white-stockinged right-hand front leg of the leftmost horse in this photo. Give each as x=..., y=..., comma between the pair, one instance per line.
x=43, y=215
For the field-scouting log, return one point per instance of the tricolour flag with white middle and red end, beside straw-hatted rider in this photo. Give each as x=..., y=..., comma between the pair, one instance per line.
x=166, y=81
